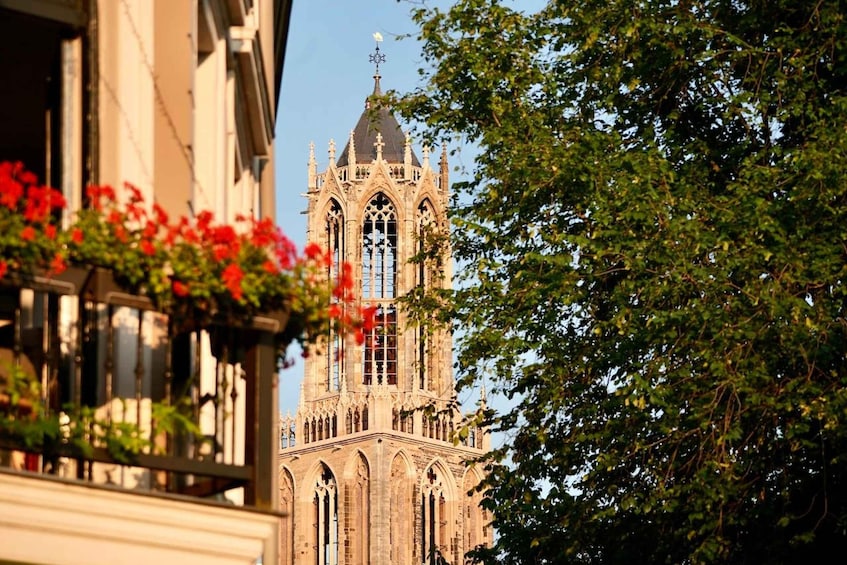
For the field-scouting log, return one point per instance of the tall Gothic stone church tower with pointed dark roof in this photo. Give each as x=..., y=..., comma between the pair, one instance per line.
x=366, y=476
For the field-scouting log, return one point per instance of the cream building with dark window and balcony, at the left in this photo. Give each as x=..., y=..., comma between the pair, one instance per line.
x=177, y=97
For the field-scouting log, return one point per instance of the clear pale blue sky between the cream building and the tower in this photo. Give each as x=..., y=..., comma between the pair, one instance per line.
x=326, y=78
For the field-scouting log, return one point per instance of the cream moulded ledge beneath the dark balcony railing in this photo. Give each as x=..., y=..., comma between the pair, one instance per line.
x=62, y=523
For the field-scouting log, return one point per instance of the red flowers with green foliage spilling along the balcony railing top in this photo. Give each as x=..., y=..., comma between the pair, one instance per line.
x=196, y=270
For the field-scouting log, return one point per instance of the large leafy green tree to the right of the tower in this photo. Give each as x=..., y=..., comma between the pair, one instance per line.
x=655, y=242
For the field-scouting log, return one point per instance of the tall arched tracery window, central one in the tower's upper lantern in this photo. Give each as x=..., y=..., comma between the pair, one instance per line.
x=379, y=274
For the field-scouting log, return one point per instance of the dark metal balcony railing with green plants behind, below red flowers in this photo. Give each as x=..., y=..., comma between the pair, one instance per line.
x=98, y=387
